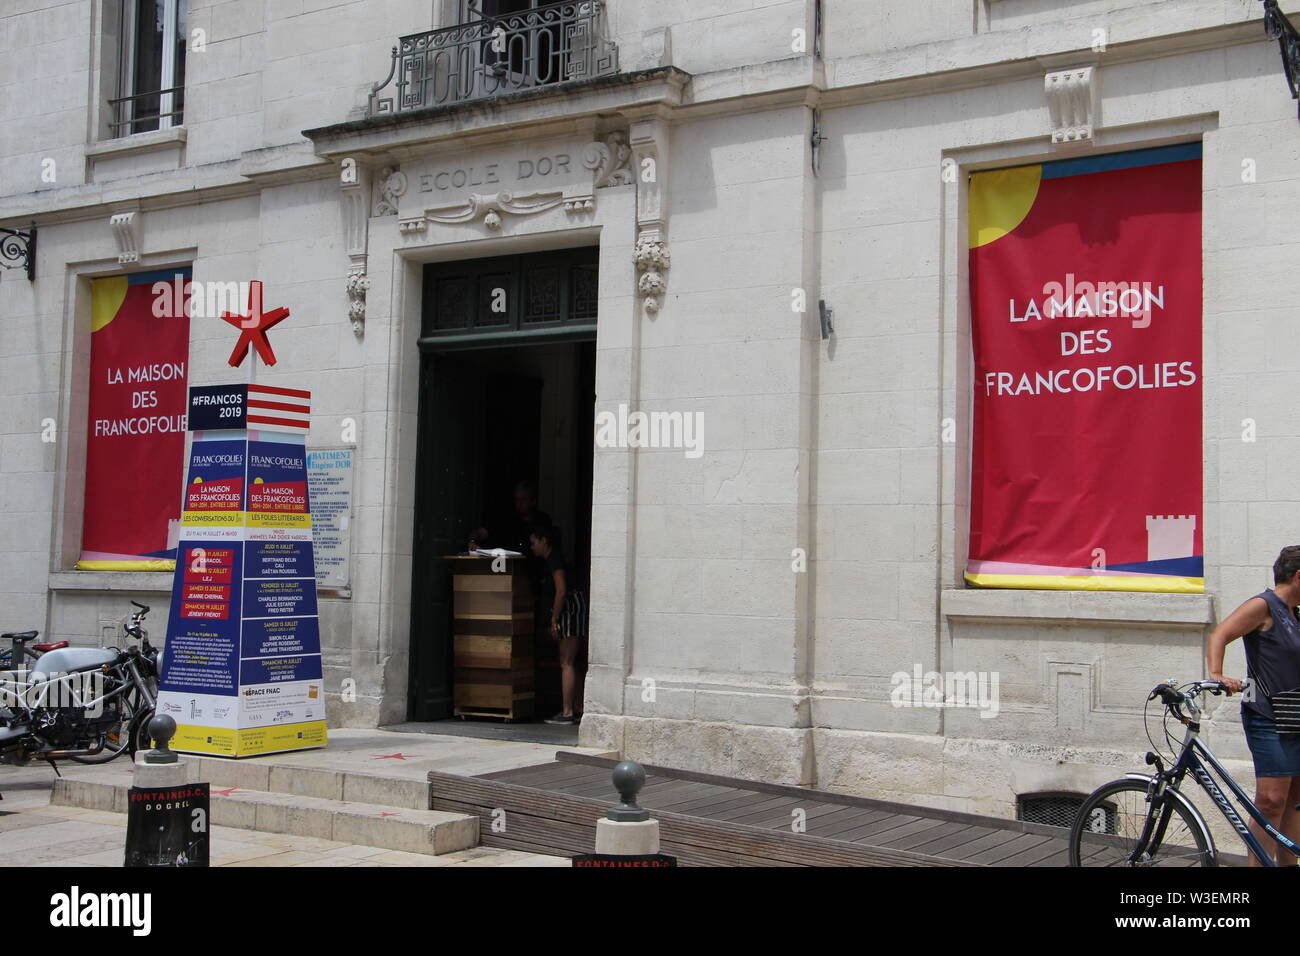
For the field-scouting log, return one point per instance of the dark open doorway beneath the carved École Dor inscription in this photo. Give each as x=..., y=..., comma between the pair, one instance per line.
x=515, y=405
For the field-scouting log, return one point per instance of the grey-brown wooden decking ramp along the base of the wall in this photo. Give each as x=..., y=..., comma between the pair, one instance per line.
x=720, y=821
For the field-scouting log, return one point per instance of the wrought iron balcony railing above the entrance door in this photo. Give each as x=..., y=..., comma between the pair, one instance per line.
x=497, y=55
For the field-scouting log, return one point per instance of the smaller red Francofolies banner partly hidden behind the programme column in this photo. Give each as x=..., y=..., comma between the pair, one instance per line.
x=136, y=426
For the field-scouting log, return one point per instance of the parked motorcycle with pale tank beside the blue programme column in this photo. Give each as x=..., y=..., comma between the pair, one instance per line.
x=75, y=700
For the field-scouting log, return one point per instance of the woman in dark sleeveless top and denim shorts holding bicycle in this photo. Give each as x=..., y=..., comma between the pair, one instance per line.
x=1271, y=704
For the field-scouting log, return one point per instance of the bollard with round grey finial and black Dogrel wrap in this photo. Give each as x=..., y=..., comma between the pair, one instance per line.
x=167, y=816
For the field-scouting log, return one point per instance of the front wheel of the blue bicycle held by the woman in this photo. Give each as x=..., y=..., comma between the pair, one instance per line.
x=1113, y=821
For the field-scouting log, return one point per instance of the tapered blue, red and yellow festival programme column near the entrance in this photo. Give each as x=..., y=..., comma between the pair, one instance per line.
x=242, y=669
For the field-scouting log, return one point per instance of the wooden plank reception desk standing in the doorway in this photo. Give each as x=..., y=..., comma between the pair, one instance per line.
x=493, y=621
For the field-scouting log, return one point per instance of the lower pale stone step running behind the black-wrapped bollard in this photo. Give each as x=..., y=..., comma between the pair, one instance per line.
x=344, y=821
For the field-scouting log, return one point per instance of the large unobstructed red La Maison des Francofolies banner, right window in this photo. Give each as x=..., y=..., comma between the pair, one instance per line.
x=1086, y=326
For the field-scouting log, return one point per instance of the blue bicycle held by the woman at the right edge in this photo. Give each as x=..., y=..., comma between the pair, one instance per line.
x=1146, y=820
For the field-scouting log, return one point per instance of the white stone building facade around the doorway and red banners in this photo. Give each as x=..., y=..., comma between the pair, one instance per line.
x=833, y=447
